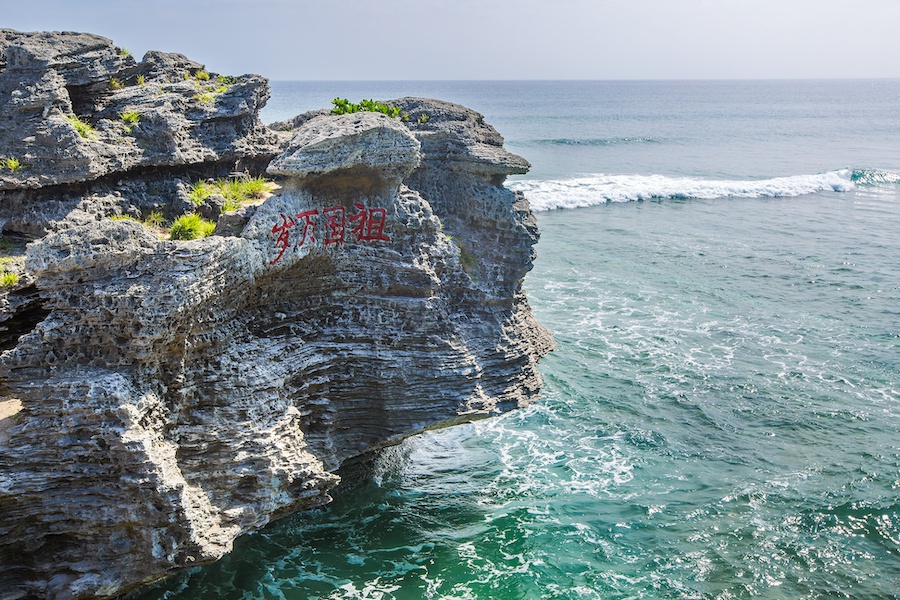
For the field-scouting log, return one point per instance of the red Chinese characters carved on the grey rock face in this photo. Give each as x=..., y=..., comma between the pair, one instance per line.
x=366, y=225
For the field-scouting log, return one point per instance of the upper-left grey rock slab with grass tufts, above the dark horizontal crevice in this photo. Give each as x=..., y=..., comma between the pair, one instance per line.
x=186, y=116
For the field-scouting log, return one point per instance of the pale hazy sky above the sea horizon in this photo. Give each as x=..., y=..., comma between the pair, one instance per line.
x=495, y=39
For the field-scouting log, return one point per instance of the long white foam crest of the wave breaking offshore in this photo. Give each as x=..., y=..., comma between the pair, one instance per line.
x=600, y=189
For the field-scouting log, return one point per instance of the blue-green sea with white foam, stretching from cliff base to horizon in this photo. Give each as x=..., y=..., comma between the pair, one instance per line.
x=720, y=265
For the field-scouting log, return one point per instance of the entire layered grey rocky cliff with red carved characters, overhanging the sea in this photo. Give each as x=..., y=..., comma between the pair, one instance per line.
x=168, y=396
